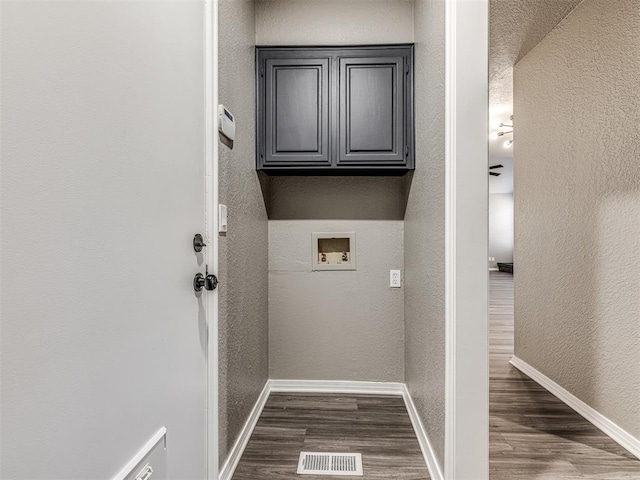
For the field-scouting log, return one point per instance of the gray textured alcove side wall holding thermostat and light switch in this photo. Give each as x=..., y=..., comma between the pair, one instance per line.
x=244, y=251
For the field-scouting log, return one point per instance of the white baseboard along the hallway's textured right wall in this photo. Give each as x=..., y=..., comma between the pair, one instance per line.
x=618, y=434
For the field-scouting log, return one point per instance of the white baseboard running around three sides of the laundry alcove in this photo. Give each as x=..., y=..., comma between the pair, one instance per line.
x=332, y=386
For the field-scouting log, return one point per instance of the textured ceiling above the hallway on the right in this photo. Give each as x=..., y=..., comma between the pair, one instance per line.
x=515, y=27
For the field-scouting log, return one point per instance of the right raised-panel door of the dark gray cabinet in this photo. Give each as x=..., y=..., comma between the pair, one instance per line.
x=372, y=111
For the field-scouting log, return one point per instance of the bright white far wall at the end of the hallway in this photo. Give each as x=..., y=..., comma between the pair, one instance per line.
x=500, y=227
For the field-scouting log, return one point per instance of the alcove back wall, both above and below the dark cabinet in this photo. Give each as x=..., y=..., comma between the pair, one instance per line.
x=335, y=325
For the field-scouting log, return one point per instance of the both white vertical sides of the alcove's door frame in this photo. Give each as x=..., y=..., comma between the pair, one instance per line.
x=466, y=301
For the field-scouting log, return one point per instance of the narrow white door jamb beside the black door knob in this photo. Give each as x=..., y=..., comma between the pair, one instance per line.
x=211, y=230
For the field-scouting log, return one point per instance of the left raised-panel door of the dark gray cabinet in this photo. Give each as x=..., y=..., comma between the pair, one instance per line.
x=297, y=112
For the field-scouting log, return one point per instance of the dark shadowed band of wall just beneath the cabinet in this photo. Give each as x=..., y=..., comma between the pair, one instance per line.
x=335, y=198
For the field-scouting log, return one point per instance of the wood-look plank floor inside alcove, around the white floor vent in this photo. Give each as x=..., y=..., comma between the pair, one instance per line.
x=376, y=426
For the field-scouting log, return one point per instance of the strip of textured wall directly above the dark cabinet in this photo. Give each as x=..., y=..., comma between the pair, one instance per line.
x=333, y=22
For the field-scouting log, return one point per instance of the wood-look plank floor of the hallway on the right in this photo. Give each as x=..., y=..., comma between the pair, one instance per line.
x=533, y=435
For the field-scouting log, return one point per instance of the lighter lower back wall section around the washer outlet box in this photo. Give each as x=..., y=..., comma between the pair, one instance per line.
x=335, y=325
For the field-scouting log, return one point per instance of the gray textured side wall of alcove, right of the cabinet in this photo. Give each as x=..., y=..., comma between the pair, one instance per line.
x=425, y=232
